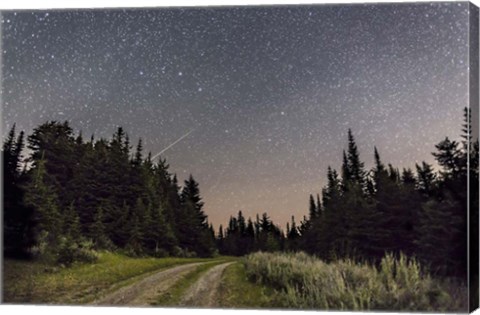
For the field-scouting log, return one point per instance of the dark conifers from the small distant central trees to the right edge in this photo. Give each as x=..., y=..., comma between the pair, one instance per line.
x=363, y=214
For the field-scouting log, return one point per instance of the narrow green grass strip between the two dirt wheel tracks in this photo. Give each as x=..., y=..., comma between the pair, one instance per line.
x=177, y=291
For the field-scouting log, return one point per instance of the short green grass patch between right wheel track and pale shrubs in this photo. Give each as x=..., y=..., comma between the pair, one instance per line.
x=237, y=292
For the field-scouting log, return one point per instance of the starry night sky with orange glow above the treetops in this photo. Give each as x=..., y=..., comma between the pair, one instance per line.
x=268, y=93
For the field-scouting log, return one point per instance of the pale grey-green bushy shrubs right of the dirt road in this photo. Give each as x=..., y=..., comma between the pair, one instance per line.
x=306, y=282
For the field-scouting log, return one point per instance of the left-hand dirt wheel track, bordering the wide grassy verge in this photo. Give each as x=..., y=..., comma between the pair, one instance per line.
x=143, y=292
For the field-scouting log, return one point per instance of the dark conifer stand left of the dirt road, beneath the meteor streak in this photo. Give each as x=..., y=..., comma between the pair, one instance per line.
x=68, y=191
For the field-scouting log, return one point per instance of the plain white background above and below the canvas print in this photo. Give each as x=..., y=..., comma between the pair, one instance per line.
x=51, y=4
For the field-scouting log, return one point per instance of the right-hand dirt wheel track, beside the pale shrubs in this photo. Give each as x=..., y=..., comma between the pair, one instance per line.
x=205, y=291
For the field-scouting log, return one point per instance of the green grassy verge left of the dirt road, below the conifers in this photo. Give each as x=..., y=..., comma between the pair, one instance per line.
x=34, y=282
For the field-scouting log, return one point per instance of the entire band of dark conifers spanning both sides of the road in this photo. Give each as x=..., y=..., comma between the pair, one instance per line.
x=65, y=196
